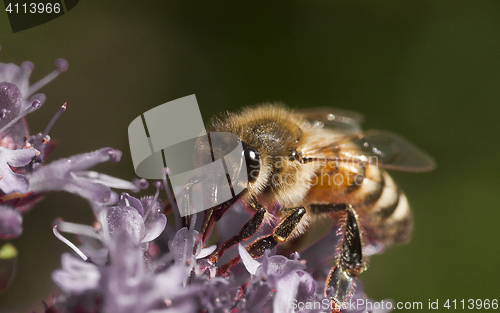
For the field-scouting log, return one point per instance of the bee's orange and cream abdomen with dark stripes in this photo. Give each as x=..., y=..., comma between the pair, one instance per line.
x=381, y=206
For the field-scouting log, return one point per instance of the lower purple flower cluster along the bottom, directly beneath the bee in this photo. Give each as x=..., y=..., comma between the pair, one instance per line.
x=181, y=280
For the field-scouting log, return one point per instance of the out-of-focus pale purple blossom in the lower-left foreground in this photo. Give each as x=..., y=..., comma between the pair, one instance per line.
x=125, y=283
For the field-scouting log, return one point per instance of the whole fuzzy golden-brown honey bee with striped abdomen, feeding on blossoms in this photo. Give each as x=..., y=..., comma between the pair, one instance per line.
x=319, y=163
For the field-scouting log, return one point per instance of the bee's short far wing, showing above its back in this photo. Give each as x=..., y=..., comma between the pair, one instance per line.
x=341, y=120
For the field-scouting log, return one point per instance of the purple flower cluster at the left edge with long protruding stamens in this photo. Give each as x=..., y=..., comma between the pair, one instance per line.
x=24, y=176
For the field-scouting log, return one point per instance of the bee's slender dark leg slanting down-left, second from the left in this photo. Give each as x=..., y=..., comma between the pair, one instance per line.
x=247, y=231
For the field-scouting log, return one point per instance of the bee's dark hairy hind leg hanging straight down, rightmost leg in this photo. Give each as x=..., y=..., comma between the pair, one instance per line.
x=350, y=263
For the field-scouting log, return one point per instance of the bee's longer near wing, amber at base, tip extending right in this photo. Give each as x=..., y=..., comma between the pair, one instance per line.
x=381, y=148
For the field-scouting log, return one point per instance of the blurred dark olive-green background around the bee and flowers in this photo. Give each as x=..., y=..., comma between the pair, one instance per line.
x=427, y=70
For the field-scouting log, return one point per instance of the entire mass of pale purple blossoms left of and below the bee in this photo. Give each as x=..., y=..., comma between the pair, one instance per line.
x=131, y=259
